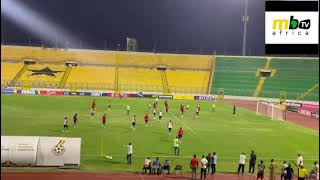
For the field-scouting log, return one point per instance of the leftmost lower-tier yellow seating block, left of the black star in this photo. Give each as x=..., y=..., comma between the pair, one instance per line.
x=10, y=70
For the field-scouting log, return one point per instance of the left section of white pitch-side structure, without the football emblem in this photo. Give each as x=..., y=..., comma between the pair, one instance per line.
x=19, y=150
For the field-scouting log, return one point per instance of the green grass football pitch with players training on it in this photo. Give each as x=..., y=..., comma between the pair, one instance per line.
x=213, y=131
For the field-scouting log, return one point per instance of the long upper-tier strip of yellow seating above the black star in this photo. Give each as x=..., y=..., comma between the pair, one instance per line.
x=107, y=57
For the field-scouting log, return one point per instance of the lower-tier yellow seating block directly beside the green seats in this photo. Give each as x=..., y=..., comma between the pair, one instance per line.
x=181, y=81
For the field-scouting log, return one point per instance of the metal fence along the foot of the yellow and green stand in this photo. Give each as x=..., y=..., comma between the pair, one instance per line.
x=314, y=96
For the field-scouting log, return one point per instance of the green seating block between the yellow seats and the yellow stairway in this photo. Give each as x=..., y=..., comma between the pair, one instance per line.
x=237, y=76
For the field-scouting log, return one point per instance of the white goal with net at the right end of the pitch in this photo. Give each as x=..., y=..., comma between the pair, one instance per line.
x=270, y=109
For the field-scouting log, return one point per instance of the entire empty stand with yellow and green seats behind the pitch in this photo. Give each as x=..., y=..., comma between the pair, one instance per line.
x=136, y=71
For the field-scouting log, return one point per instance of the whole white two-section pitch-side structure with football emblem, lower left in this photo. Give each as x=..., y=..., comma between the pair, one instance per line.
x=40, y=151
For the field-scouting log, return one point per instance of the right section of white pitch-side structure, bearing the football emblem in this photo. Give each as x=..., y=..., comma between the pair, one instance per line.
x=56, y=151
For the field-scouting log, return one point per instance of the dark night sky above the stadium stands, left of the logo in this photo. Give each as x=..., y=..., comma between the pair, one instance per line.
x=183, y=26
